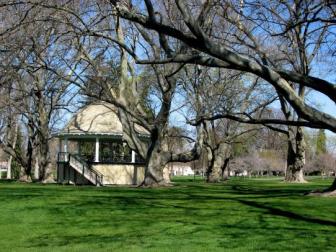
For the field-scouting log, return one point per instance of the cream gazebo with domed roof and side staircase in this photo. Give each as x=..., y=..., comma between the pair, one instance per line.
x=92, y=149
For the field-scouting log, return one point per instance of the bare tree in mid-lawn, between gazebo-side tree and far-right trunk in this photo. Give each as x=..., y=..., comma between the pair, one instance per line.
x=217, y=91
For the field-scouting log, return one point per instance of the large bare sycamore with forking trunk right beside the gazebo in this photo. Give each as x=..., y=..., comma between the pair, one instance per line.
x=102, y=49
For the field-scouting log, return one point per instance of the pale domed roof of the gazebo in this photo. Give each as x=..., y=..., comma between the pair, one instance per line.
x=97, y=120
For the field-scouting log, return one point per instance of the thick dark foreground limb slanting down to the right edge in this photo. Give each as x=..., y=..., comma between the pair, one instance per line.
x=200, y=36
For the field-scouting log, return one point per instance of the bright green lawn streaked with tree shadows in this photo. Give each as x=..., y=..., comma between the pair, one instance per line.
x=239, y=215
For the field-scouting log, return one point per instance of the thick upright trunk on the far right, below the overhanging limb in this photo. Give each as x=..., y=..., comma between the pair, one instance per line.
x=295, y=156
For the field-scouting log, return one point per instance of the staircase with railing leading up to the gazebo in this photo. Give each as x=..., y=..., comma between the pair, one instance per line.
x=79, y=165
